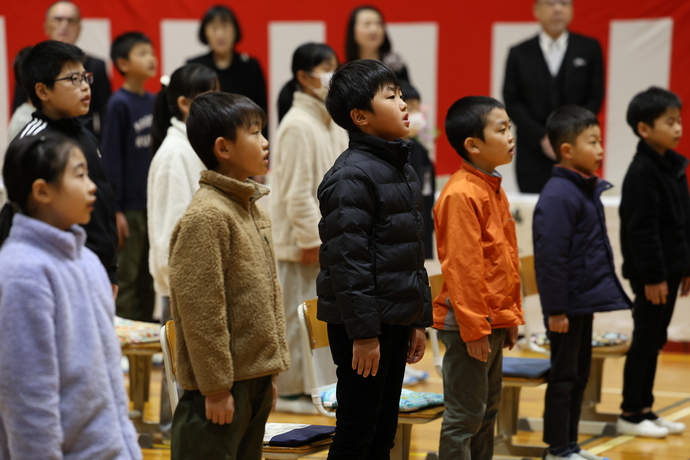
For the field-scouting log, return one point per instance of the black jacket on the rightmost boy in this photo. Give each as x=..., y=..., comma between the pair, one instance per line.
x=655, y=217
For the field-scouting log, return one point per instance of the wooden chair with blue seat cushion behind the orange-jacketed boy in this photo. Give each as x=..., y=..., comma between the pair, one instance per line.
x=517, y=373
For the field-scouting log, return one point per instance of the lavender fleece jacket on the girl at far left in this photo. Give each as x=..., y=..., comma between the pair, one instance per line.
x=62, y=394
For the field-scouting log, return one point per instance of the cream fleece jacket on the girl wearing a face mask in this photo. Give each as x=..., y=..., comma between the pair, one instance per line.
x=307, y=144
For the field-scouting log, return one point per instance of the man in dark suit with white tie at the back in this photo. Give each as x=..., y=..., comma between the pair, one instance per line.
x=553, y=69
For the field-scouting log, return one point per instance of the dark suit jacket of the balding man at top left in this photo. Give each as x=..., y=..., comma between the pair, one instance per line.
x=100, y=93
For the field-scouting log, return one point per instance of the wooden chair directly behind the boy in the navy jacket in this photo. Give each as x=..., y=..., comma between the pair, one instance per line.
x=591, y=421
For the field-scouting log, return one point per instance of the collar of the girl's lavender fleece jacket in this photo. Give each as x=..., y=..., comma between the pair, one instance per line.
x=67, y=243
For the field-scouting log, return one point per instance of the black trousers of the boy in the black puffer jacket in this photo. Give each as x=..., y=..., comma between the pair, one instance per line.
x=367, y=414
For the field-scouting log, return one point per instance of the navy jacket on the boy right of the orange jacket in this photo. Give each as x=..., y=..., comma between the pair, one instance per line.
x=572, y=253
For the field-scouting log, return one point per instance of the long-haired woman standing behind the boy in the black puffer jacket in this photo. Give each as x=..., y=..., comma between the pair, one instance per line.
x=367, y=39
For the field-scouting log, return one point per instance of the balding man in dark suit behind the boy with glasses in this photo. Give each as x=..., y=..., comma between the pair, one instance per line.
x=63, y=23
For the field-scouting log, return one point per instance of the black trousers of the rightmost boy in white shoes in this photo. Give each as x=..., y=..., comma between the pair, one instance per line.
x=649, y=337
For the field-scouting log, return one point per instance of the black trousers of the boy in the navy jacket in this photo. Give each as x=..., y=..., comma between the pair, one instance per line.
x=571, y=360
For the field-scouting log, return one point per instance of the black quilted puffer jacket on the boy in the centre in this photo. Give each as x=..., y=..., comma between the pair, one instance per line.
x=372, y=256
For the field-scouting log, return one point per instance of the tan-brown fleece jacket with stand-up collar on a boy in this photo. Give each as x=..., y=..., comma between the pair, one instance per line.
x=225, y=296
